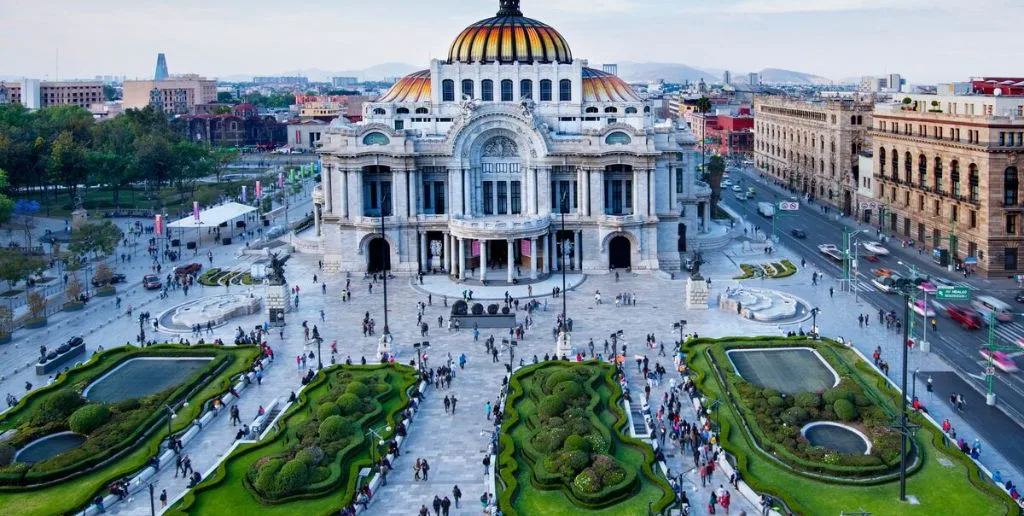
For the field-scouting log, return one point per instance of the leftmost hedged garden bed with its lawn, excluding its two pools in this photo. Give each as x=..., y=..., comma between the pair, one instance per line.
x=120, y=437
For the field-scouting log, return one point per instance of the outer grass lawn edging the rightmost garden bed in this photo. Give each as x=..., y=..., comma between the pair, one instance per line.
x=940, y=489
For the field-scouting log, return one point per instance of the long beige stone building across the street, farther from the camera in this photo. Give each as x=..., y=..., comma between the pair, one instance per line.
x=813, y=146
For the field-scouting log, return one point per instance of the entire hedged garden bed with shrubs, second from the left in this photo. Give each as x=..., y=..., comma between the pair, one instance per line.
x=310, y=463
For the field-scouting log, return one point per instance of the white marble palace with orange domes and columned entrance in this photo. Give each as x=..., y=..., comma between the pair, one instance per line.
x=474, y=162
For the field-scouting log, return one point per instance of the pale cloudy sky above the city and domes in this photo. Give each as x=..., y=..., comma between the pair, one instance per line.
x=927, y=41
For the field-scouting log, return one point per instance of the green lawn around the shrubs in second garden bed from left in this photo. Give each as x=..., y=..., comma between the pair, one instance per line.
x=226, y=492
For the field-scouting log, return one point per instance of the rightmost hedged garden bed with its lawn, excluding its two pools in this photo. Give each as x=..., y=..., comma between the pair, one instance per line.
x=761, y=431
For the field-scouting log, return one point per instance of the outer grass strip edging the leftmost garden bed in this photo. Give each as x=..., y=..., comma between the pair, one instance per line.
x=76, y=493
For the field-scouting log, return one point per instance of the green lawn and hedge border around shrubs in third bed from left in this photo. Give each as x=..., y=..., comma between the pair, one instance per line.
x=523, y=496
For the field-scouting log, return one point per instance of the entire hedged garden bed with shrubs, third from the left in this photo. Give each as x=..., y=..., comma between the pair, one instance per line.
x=564, y=448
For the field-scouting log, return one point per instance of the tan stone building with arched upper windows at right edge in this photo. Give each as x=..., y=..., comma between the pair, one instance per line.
x=948, y=168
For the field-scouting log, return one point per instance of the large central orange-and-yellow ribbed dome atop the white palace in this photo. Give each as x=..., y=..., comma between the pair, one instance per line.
x=509, y=38
